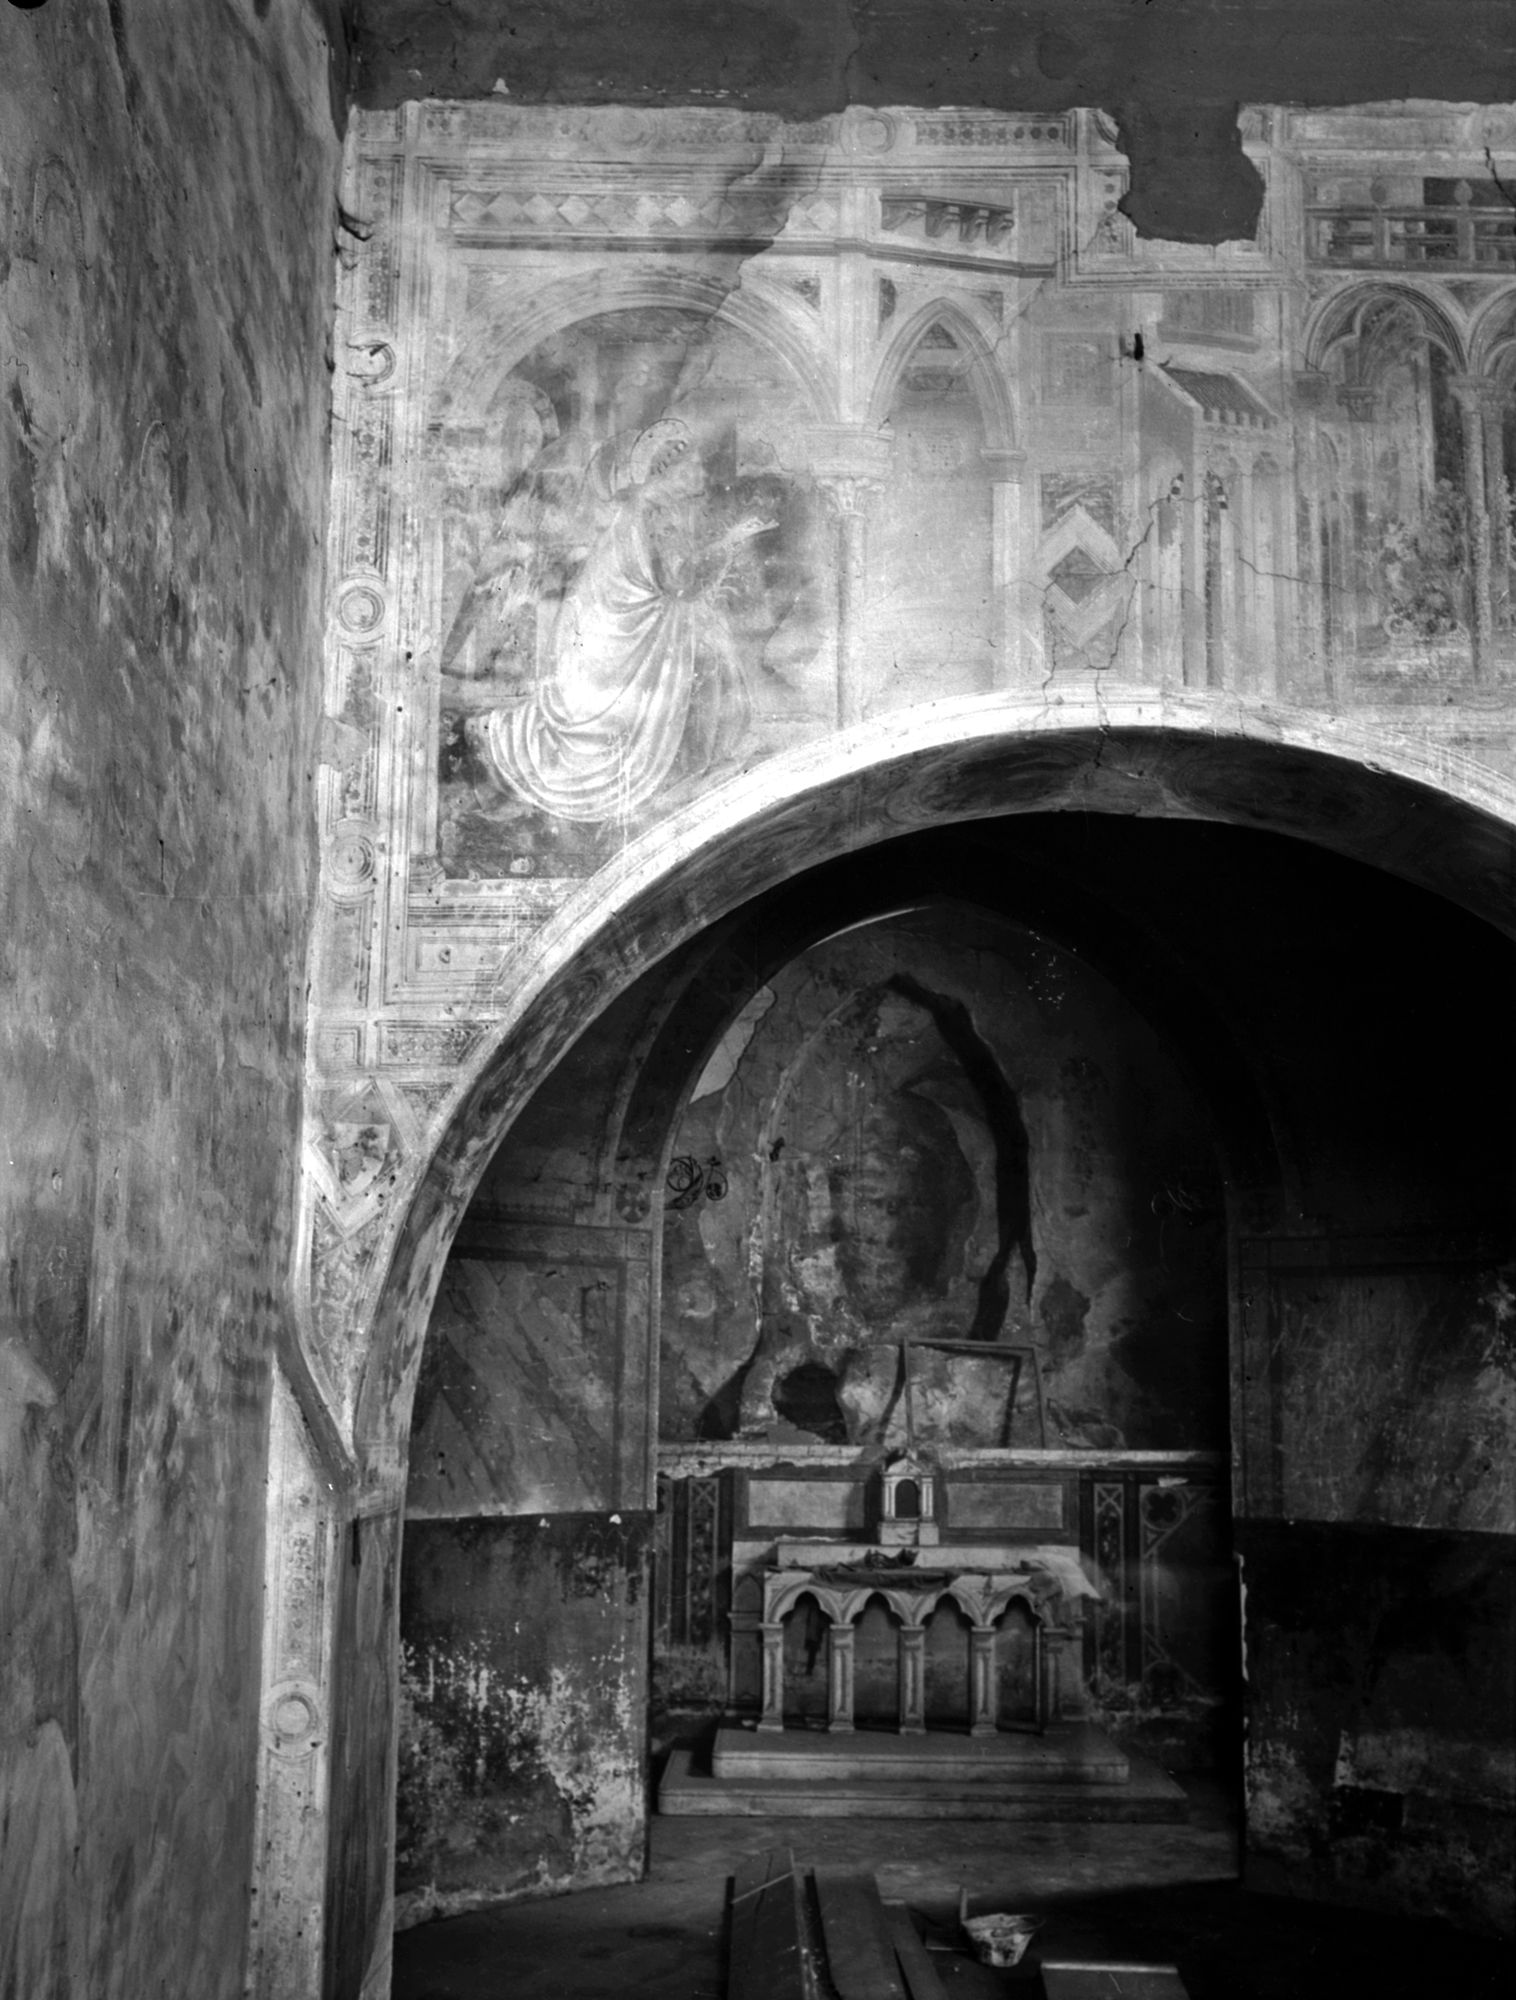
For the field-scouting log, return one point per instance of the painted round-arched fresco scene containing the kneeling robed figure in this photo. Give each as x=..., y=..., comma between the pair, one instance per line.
x=633, y=587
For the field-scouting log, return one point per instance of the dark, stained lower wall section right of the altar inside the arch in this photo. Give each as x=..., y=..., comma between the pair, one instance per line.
x=1381, y=1759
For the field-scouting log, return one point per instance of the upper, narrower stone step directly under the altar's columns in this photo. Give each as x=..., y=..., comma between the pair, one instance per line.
x=1069, y=1753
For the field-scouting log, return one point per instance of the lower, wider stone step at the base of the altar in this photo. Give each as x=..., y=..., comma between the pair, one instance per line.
x=1147, y=1795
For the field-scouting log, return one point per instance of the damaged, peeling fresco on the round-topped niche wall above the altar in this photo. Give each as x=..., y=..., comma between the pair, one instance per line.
x=917, y=1141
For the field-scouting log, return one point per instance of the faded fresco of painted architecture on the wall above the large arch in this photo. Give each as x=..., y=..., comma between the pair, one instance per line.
x=683, y=439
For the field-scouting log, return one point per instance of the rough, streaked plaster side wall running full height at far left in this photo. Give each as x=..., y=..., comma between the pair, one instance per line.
x=165, y=281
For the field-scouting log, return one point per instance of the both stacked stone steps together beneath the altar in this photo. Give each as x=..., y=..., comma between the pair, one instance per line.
x=1069, y=1773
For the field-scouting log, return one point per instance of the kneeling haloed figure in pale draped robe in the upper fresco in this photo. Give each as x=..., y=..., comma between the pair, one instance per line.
x=641, y=677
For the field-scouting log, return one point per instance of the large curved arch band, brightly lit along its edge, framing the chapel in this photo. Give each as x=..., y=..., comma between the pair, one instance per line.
x=1417, y=813
